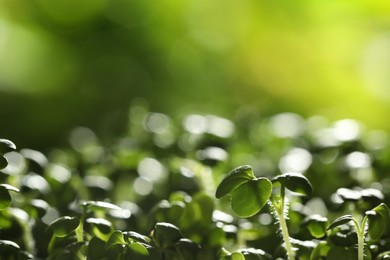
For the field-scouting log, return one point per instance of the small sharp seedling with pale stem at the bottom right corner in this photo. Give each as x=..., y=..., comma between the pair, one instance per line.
x=375, y=221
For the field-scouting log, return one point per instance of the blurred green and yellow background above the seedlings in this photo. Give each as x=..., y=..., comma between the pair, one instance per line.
x=65, y=63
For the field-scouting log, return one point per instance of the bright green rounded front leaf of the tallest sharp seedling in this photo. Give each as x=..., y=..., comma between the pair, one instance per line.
x=249, y=198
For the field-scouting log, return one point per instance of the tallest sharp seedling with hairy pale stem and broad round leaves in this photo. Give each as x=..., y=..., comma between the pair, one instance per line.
x=249, y=194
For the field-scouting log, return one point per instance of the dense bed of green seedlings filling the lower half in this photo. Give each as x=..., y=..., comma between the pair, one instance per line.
x=166, y=190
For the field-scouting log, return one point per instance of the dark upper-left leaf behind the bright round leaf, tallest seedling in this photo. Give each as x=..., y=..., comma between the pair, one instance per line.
x=234, y=179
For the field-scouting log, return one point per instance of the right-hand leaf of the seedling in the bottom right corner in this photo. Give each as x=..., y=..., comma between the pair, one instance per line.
x=378, y=221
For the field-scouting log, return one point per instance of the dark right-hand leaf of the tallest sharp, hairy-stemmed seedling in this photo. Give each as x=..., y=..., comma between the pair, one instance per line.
x=295, y=182
